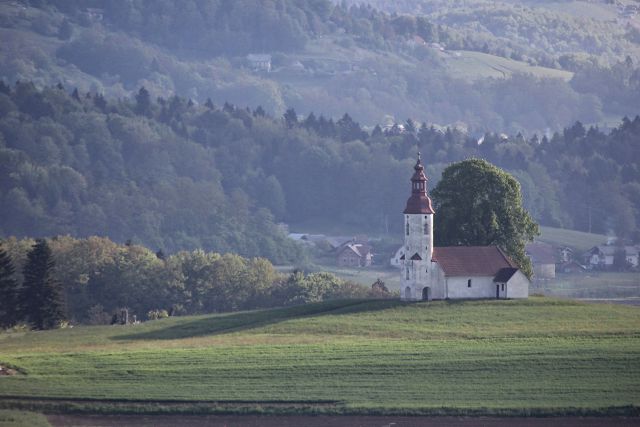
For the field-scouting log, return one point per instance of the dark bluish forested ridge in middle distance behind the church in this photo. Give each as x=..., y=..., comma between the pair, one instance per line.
x=174, y=175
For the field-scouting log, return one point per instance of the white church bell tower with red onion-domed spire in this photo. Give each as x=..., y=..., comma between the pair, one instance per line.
x=418, y=239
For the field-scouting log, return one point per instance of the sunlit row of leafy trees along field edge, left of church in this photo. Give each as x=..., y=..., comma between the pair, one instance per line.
x=101, y=277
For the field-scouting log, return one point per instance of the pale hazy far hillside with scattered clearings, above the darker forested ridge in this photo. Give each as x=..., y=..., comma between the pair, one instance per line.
x=444, y=68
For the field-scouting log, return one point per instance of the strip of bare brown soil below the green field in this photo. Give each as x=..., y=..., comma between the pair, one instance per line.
x=322, y=421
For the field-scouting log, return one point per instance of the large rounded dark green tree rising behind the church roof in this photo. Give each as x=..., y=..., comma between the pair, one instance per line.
x=479, y=204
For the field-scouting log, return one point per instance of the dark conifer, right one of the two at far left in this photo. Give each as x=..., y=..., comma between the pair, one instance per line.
x=41, y=297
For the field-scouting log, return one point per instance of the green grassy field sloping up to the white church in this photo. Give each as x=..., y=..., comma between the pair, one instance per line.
x=538, y=356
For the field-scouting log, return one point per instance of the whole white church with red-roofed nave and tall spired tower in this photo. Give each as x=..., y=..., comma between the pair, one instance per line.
x=453, y=272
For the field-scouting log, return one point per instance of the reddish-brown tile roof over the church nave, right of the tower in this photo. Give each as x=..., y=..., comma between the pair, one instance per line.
x=471, y=260
